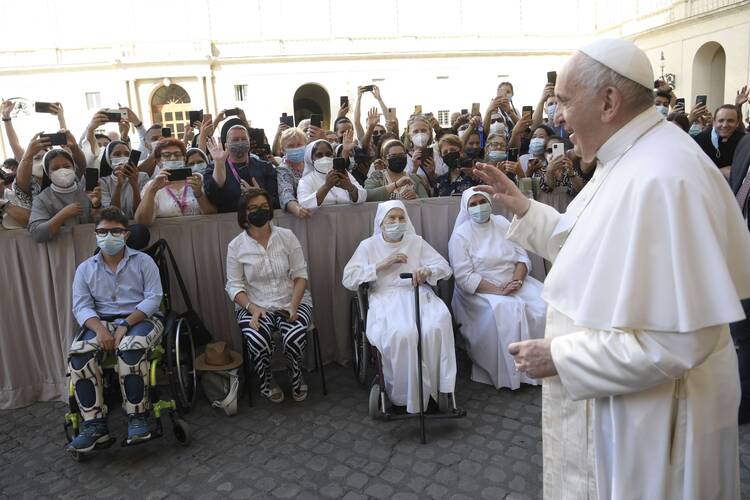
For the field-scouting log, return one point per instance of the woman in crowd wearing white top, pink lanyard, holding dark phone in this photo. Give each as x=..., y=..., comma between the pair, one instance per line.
x=164, y=198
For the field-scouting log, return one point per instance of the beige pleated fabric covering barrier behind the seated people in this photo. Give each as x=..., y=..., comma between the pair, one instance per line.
x=37, y=324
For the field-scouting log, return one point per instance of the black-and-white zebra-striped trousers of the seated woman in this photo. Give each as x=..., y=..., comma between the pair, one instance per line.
x=260, y=344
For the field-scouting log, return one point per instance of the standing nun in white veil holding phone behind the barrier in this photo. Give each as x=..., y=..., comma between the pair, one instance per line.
x=321, y=185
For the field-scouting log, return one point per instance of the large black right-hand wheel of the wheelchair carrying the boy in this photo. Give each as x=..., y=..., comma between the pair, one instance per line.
x=180, y=356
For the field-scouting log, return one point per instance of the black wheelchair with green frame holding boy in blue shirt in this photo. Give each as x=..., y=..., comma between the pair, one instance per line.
x=172, y=358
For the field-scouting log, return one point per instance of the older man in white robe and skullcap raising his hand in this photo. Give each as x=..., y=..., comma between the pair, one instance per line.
x=641, y=390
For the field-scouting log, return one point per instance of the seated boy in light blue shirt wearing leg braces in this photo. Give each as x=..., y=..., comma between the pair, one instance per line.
x=116, y=294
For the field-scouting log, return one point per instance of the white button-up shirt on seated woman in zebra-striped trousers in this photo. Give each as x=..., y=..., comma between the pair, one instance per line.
x=266, y=275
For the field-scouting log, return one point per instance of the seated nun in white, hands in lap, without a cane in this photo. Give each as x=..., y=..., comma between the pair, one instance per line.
x=495, y=300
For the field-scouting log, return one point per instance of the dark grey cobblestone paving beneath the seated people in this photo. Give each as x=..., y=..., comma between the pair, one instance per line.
x=326, y=447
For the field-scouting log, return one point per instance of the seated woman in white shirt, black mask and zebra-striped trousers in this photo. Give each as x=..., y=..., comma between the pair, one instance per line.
x=267, y=280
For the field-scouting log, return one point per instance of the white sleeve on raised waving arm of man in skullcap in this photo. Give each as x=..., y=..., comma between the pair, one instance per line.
x=534, y=230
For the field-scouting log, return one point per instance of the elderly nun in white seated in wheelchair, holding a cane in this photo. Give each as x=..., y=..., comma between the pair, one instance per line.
x=396, y=248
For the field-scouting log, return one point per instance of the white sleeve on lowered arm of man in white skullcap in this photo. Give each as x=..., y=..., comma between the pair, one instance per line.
x=598, y=363
